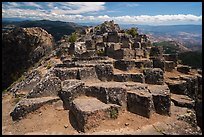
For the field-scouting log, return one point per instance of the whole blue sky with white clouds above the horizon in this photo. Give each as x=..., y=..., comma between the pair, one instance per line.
x=144, y=13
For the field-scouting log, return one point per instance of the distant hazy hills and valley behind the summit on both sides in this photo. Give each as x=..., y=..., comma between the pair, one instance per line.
x=188, y=35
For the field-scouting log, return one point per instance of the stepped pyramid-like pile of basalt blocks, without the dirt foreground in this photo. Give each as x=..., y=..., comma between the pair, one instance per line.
x=111, y=72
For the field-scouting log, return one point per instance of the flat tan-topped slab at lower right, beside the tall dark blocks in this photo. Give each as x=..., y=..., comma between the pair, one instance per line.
x=182, y=101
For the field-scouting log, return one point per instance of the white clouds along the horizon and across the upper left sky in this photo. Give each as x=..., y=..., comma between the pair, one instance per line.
x=74, y=11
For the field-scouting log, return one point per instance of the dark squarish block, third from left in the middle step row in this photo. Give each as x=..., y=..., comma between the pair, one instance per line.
x=104, y=72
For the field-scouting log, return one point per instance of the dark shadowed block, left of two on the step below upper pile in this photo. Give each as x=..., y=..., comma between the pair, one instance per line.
x=124, y=64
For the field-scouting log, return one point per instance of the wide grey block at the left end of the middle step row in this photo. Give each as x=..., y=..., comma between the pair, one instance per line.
x=66, y=73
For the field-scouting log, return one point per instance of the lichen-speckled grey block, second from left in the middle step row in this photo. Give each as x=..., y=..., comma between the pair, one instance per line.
x=87, y=73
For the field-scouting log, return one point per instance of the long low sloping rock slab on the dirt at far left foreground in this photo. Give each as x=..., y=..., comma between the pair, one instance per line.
x=25, y=106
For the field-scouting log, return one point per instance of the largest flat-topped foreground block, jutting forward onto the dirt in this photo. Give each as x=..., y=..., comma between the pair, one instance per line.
x=89, y=112
